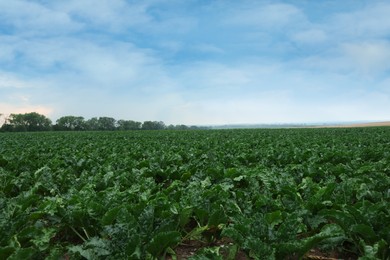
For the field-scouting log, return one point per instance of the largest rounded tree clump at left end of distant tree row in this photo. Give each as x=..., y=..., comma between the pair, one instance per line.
x=28, y=122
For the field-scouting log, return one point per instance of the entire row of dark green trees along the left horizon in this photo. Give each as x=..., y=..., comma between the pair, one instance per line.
x=31, y=122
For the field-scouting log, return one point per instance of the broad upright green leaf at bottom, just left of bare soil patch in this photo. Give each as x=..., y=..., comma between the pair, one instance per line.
x=162, y=241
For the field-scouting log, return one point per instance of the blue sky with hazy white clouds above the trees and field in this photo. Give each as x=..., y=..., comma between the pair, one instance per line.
x=197, y=62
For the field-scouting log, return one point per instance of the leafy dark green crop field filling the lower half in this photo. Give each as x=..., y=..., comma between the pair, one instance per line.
x=211, y=194
